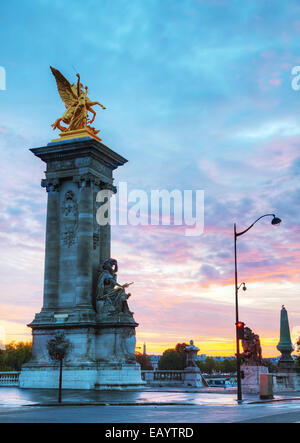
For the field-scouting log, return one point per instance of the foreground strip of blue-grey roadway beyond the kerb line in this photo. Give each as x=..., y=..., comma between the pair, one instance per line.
x=288, y=412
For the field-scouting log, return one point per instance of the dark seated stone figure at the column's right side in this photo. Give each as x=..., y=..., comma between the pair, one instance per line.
x=111, y=296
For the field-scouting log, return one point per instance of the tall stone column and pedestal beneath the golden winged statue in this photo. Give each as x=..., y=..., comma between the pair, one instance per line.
x=102, y=351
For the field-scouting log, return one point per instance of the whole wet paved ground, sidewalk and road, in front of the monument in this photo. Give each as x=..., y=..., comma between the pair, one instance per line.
x=193, y=408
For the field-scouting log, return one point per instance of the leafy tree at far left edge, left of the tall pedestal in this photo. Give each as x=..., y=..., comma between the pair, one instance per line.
x=15, y=355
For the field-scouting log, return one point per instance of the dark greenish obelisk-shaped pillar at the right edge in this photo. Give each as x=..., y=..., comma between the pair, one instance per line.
x=285, y=347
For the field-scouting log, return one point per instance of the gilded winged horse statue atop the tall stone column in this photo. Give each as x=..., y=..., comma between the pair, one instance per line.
x=78, y=106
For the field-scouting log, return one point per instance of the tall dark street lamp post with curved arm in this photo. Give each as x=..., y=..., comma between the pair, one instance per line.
x=238, y=324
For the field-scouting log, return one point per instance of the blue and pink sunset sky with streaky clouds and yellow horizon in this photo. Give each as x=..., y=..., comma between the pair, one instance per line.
x=199, y=96
